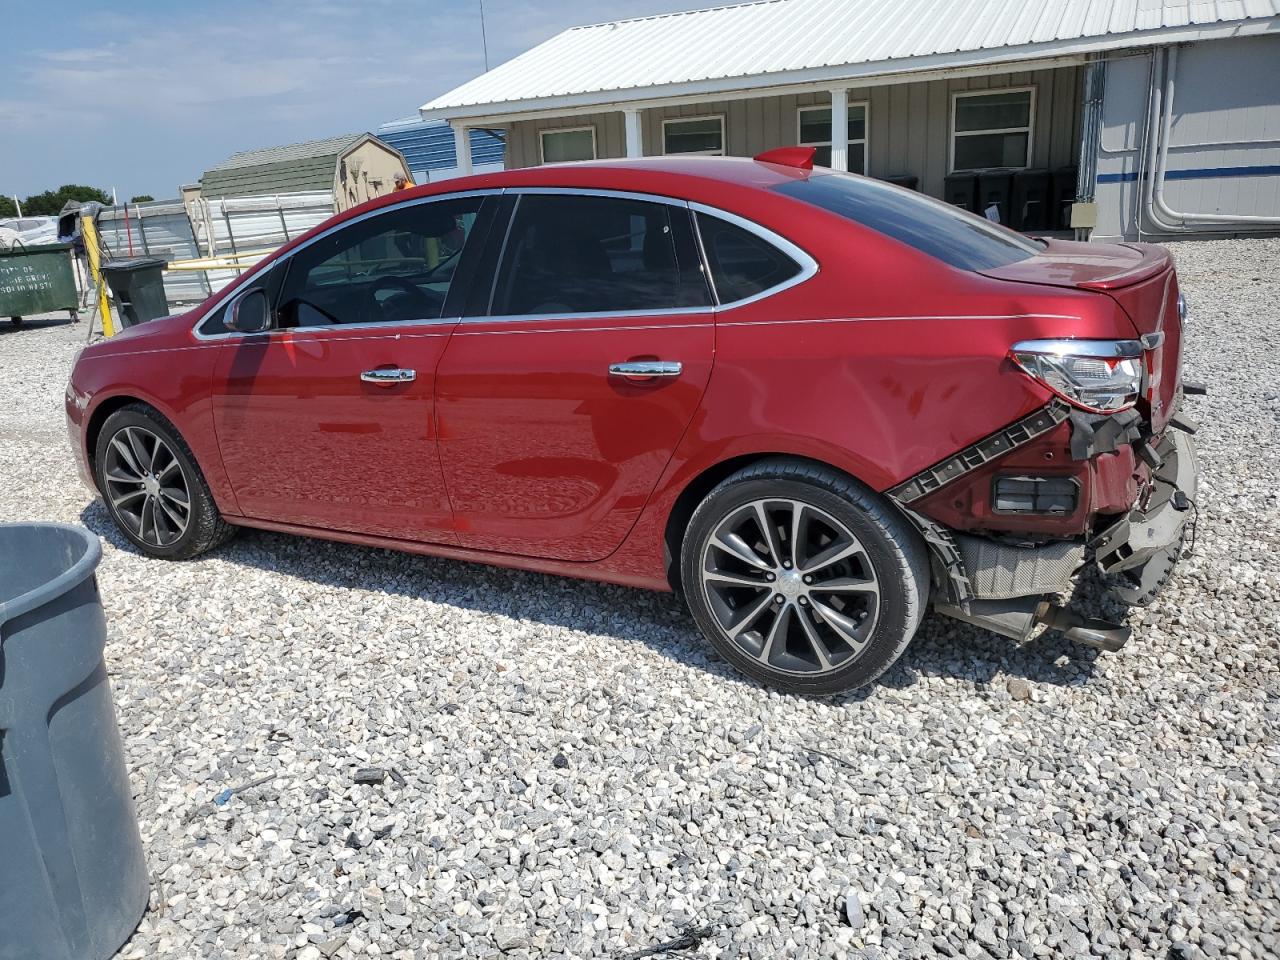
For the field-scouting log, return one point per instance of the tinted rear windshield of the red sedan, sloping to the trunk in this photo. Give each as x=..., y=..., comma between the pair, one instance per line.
x=941, y=231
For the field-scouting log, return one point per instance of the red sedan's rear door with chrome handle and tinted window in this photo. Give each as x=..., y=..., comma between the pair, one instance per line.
x=564, y=397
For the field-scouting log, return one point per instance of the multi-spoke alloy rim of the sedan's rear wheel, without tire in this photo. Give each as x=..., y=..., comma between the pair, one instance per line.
x=790, y=586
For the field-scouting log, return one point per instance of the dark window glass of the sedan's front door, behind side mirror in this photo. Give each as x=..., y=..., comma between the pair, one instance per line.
x=395, y=267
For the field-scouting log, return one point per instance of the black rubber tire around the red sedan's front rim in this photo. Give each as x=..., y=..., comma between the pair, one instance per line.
x=205, y=527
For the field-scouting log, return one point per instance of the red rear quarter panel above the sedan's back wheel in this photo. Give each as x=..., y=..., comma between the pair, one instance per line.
x=881, y=365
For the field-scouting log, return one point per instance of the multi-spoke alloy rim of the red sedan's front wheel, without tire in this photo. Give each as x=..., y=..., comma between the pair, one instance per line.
x=147, y=487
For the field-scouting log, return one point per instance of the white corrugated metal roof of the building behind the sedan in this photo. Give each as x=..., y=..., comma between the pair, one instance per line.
x=785, y=36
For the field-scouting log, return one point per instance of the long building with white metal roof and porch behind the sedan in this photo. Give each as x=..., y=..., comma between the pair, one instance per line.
x=1164, y=115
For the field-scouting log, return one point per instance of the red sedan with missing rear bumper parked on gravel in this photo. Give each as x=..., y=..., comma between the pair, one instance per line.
x=813, y=404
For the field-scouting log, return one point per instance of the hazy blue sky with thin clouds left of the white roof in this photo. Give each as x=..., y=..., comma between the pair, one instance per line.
x=144, y=97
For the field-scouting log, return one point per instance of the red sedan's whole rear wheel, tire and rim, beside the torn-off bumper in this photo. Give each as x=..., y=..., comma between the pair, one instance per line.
x=802, y=578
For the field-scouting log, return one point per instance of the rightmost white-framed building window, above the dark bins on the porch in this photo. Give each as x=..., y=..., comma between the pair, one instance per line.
x=993, y=129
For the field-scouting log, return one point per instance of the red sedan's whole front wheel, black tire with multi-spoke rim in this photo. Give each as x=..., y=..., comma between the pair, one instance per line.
x=153, y=487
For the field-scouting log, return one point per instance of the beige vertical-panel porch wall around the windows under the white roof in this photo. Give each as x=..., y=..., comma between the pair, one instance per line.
x=909, y=125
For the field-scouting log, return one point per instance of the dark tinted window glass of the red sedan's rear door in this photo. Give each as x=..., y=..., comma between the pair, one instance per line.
x=586, y=255
